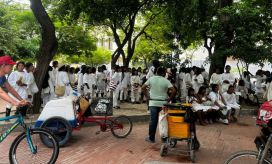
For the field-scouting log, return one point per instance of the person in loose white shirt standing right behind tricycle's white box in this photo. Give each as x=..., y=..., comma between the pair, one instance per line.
x=62, y=79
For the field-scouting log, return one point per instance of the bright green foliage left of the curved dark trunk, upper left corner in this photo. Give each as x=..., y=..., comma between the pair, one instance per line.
x=19, y=34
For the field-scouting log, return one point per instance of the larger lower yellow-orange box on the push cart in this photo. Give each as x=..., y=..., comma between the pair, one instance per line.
x=178, y=130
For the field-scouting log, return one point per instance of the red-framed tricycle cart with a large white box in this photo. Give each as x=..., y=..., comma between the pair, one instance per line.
x=62, y=116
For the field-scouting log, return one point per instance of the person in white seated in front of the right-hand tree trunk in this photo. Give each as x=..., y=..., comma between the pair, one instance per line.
x=219, y=104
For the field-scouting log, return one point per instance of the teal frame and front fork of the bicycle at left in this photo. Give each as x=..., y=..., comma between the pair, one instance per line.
x=19, y=121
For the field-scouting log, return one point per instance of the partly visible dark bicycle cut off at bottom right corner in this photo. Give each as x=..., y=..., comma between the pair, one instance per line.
x=262, y=156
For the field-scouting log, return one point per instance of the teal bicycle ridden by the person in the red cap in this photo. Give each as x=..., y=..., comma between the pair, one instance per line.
x=29, y=146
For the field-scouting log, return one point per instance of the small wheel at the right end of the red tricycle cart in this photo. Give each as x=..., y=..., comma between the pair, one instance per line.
x=121, y=126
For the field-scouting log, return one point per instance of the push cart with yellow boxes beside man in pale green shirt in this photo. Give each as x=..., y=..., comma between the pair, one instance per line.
x=179, y=130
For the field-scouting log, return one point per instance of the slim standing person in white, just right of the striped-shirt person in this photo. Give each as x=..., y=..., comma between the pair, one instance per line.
x=124, y=84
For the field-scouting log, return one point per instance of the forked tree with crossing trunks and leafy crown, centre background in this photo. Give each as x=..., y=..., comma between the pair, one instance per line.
x=118, y=16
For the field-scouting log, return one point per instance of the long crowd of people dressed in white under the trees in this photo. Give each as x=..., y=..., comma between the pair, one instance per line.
x=213, y=99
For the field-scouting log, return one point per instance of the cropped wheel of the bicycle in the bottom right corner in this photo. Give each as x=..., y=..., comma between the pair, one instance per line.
x=248, y=157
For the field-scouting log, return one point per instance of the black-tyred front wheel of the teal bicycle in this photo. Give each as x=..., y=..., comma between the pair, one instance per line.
x=20, y=150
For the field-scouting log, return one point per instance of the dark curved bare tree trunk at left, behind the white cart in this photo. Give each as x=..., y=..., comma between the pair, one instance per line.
x=47, y=50
